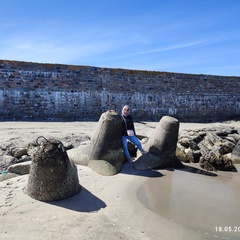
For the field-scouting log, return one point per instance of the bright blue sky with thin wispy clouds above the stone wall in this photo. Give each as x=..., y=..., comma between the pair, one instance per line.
x=186, y=36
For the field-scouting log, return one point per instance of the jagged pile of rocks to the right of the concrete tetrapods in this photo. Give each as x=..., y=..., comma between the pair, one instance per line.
x=215, y=148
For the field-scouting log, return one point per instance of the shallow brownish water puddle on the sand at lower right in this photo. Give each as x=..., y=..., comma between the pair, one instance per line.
x=209, y=204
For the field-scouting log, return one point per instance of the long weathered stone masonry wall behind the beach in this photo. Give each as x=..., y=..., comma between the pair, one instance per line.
x=35, y=91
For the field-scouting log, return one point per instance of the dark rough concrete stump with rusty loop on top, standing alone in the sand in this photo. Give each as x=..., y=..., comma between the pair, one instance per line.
x=52, y=175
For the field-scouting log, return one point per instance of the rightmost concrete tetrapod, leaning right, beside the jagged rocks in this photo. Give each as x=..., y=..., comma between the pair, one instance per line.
x=161, y=146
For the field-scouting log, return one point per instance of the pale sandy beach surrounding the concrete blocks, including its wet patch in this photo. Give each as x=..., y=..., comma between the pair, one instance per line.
x=166, y=204
